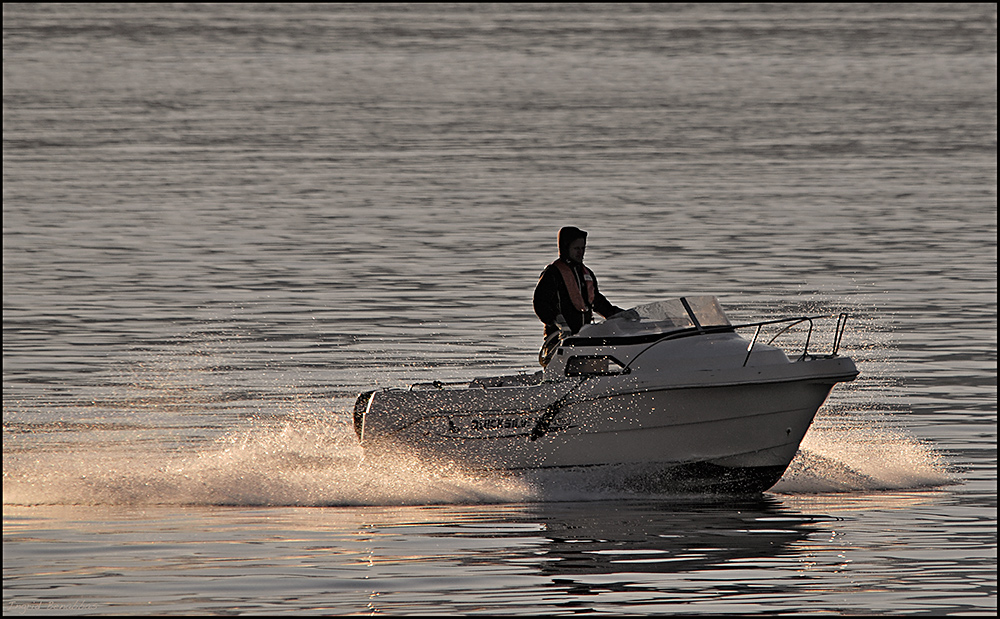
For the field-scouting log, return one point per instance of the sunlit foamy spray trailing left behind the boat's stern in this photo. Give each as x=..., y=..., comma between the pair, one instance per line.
x=300, y=463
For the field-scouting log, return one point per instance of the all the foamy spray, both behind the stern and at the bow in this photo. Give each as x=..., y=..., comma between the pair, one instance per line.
x=305, y=462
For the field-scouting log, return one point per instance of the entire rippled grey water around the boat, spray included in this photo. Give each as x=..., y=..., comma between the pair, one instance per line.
x=222, y=222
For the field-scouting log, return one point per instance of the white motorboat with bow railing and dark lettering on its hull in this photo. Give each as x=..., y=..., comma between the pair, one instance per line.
x=664, y=397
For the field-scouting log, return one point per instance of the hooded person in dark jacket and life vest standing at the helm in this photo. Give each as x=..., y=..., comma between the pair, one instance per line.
x=567, y=295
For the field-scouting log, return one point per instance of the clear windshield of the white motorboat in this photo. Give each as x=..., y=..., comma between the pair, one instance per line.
x=661, y=317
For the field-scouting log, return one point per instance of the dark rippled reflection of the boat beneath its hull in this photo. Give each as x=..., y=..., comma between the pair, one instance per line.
x=660, y=536
